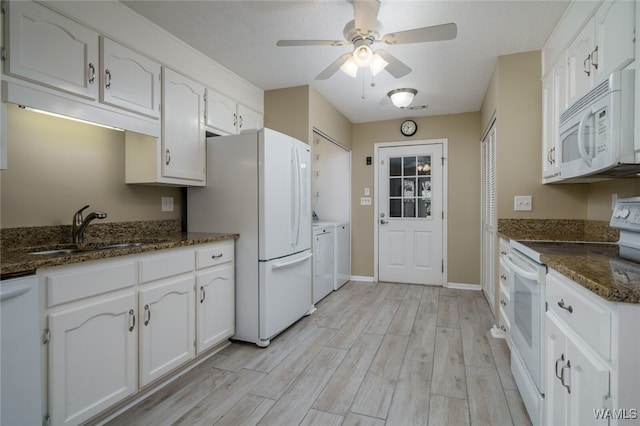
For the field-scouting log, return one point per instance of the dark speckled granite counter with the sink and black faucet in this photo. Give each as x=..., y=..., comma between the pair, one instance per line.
x=18, y=244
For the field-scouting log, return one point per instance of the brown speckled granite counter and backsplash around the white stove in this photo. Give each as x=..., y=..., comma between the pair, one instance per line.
x=604, y=274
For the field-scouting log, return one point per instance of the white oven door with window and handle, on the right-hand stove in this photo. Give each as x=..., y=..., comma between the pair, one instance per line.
x=527, y=312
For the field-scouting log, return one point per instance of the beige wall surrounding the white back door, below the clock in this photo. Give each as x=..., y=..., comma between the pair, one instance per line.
x=463, y=212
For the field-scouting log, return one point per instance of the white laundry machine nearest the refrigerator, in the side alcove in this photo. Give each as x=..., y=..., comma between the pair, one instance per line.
x=323, y=261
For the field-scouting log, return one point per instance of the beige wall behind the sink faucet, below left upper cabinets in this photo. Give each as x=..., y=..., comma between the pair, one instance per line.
x=57, y=166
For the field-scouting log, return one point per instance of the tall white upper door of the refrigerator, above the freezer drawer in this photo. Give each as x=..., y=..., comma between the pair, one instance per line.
x=284, y=196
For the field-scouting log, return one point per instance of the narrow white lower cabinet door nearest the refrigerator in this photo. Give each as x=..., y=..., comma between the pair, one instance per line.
x=216, y=306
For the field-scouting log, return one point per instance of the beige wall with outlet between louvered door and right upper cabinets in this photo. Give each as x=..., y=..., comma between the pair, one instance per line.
x=515, y=95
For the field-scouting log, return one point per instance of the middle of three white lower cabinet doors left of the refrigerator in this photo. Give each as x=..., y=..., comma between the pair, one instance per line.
x=167, y=327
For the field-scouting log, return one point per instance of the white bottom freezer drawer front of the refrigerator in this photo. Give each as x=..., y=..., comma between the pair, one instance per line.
x=285, y=293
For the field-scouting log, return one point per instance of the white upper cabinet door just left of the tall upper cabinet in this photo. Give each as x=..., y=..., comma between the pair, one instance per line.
x=129, y=80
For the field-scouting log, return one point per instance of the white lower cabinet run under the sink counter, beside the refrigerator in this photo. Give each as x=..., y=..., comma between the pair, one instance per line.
x=116, y=325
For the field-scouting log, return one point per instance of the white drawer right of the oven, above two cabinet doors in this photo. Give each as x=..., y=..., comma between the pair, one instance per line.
x=584, y=314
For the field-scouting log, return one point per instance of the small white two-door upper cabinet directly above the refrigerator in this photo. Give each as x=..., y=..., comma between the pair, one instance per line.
x=225, y=116
